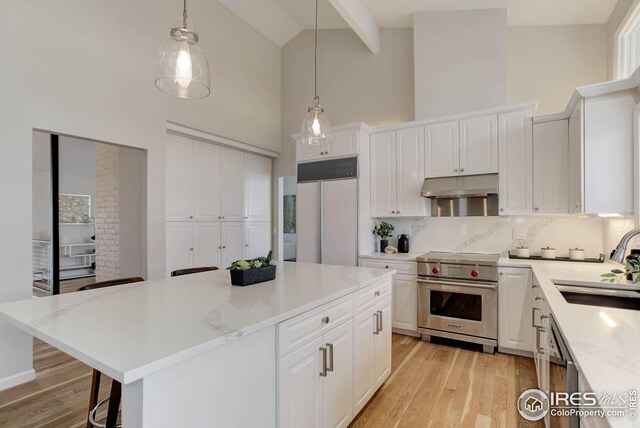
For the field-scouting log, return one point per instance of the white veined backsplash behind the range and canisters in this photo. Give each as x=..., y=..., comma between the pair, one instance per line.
x=495, y=234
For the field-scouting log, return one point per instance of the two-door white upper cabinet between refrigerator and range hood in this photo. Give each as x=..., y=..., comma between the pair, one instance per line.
x=397, y=171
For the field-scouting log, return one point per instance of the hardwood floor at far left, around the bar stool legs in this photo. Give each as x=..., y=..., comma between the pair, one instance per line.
x=58, y=397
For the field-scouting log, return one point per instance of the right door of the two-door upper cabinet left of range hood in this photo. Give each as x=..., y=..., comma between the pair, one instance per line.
x=410, y=172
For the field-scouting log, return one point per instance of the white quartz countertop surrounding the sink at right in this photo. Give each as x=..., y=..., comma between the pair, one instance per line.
x=605, y=342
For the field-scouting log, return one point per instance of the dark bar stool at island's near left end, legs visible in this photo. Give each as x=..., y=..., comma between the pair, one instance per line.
x=115, y=395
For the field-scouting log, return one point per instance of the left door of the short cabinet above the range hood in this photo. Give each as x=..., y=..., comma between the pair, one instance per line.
x=442, y=145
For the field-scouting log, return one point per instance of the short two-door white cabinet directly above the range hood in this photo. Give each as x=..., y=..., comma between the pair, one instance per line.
x=465, y=147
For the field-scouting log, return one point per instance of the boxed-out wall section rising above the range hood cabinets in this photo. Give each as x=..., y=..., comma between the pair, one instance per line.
x=460, y=61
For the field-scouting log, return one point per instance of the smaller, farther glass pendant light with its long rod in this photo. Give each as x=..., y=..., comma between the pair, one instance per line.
x=316, y=128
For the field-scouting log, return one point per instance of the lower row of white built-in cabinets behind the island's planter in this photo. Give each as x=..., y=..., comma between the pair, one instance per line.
x=213, y=243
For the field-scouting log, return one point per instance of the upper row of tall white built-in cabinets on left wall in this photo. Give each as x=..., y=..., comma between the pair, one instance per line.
x=206, y=182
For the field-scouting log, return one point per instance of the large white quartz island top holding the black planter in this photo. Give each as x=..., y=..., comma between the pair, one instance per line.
x=130, y=331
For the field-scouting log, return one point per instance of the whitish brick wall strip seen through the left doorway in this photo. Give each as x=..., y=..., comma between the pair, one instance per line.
x=107, y=227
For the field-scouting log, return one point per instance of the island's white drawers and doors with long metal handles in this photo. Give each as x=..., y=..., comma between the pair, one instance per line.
x=332, y=360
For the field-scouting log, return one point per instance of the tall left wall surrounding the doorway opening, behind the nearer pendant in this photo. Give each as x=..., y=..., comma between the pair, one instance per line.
x=87, y=69
